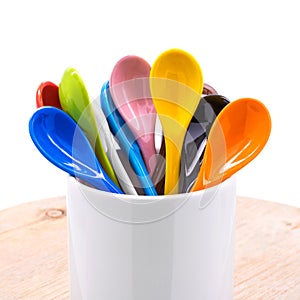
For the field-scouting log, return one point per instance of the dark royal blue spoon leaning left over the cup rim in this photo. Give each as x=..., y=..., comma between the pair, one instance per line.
x=57, y=136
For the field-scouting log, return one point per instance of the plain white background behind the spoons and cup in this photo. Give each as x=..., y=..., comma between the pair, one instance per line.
x=245, y=49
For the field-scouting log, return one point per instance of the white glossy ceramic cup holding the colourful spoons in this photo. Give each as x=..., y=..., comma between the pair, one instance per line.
x=173, y=247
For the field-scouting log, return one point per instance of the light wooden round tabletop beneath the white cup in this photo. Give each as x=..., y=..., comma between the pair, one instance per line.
x=34, y=265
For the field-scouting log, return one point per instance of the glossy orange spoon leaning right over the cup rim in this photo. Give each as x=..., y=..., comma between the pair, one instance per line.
x=237, y=136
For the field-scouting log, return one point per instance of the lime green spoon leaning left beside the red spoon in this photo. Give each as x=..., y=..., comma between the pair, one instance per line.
x=75, y=101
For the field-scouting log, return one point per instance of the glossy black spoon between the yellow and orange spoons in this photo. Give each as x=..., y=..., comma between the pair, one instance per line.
x=196, y=137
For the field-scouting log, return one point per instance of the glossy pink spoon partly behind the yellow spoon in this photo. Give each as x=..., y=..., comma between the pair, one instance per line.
x=129, y=87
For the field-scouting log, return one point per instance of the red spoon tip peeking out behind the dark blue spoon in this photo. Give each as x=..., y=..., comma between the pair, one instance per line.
x=47, y=95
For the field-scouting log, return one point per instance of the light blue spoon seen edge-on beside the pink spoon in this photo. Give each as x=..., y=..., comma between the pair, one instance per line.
x=126, y=140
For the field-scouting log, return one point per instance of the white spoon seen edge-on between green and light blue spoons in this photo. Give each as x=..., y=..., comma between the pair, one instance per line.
x=109, y=145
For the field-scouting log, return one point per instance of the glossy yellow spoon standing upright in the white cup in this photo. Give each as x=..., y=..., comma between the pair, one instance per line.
x=176, y=85
